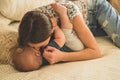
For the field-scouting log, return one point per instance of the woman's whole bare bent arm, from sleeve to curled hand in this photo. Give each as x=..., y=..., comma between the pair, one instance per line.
x=91, y=50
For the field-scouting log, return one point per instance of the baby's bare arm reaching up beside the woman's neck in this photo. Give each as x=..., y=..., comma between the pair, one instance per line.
x=58, y=33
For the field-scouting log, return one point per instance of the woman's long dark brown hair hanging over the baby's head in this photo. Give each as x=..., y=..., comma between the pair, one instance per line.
x=35, y=27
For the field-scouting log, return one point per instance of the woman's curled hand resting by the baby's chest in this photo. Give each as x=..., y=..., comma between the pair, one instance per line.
x=52, y=55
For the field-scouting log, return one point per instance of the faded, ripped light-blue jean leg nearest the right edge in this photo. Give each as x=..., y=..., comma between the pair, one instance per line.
x=109, y=19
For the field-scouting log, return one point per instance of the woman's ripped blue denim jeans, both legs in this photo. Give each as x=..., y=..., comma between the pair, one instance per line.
x=103, y=16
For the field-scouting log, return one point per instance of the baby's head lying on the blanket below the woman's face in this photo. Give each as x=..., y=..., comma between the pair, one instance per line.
x=26, y=59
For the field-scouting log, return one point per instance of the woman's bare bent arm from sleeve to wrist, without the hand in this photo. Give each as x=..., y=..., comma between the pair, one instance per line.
x=91, y=50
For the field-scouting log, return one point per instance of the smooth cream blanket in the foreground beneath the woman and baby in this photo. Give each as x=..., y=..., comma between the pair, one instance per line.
x=105, y=68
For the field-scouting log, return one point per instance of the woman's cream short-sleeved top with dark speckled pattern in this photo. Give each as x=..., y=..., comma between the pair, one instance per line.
x=74, y=8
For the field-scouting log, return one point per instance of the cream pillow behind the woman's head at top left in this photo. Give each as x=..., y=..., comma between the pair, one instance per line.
x=15, y=9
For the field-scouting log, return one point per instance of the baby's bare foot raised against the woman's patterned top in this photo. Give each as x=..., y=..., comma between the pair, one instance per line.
x=60, y=9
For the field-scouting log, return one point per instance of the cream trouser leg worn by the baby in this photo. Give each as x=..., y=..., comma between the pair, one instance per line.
x=72, y=40
